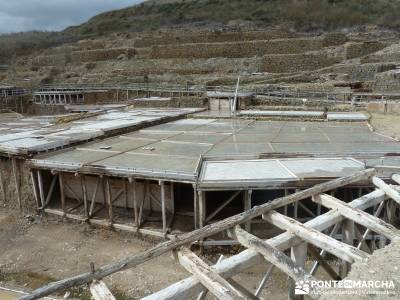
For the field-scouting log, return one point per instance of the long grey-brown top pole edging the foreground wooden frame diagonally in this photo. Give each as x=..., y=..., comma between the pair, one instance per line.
x=136, y=259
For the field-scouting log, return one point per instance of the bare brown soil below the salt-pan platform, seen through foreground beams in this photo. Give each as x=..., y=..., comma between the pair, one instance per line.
x=35, y=251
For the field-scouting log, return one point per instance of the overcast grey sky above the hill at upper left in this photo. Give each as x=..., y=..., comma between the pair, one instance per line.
x=24, y=15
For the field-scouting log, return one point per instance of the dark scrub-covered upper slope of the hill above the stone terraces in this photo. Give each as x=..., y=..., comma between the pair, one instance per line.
x=301, y=15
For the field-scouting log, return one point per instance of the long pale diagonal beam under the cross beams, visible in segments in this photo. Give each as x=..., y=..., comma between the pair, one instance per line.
x=248, y=258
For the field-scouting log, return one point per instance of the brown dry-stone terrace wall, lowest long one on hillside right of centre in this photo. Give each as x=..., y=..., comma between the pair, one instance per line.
x=288, y=63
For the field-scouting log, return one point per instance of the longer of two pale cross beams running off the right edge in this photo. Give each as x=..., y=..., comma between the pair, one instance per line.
x=358, y=216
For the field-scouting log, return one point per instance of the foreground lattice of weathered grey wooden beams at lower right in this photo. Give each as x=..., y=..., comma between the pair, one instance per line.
x=320, y=232
